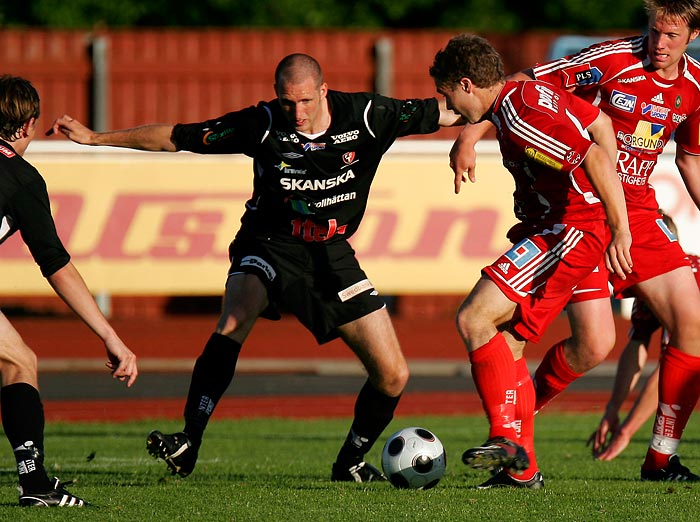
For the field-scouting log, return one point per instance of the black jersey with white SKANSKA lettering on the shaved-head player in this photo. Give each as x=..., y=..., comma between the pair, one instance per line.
x=311, y=189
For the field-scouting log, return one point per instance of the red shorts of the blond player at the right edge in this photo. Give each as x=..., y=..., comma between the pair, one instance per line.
x=655, y=251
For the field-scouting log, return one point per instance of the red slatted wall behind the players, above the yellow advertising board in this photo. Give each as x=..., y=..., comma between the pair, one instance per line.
x=174, y=75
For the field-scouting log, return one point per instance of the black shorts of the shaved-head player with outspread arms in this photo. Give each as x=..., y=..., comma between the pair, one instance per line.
x=321, y=284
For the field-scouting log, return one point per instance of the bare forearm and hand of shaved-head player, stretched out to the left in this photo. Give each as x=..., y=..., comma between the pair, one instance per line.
x=155, y=137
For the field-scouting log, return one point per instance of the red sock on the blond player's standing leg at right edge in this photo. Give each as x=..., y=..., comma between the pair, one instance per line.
x=679, y=389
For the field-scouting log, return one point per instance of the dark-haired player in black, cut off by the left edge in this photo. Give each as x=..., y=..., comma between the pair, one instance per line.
x=24, y=207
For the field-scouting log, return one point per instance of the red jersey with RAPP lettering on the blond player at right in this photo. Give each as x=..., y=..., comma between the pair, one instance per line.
x=645, y=108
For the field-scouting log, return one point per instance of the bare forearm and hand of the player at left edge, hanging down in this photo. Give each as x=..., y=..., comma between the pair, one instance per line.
x=70, y=287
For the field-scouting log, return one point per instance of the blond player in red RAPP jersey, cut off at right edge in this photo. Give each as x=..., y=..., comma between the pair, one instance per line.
x=648, y=87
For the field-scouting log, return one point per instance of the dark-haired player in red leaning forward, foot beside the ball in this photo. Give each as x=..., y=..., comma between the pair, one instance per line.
x=559, y=150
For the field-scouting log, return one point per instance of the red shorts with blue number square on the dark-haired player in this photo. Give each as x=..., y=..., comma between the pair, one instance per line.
x=541, y=272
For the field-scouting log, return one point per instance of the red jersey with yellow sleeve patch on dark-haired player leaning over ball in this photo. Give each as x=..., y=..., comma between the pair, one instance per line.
x=541, y=132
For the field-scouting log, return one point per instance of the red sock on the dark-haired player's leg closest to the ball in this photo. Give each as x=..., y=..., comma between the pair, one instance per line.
x=493, y=371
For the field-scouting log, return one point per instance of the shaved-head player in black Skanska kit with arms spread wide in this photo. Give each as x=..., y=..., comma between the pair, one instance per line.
x=315, y=155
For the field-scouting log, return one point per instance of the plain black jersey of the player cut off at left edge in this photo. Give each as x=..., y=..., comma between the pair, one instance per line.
x=24, y=206
